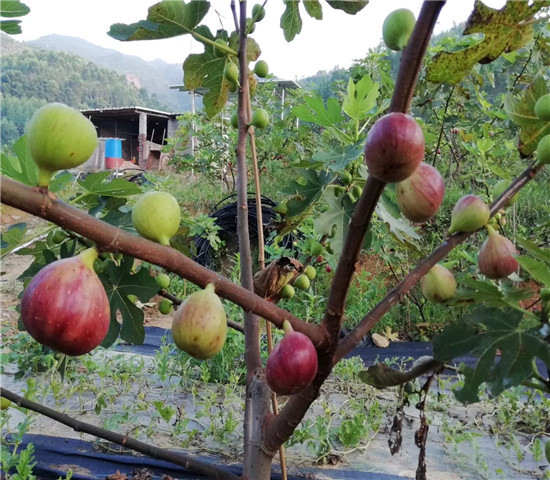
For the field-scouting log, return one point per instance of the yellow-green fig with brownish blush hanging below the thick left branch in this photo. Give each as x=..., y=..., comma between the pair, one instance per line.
x=199, y=326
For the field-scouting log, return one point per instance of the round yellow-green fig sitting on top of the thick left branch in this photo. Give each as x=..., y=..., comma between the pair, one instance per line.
x=156, y=216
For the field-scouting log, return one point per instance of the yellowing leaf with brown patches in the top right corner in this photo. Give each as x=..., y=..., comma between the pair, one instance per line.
x=503, y=31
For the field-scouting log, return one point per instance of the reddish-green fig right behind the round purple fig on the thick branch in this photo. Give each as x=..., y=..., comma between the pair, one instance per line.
x=420, y=195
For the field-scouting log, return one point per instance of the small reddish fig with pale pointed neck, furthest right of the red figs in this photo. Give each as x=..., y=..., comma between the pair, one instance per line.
x=496, y=257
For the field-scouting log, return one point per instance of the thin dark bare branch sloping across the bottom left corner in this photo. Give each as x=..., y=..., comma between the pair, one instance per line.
x=182, y=459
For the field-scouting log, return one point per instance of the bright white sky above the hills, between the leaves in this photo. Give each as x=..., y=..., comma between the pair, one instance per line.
x=335, y=41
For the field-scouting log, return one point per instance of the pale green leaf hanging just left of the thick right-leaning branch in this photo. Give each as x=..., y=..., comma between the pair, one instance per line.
x=335, y=221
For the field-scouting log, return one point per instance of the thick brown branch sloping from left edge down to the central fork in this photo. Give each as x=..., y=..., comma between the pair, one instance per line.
x=112, y=239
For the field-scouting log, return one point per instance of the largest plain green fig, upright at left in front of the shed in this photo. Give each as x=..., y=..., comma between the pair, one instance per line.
x=59, y=138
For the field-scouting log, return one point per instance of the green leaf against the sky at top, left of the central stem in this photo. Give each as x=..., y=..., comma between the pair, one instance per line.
x=166, y=19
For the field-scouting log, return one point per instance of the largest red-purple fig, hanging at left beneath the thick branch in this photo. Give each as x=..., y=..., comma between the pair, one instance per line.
x=65, y=306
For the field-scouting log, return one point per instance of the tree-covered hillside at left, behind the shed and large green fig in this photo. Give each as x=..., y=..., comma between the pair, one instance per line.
x=31, y=77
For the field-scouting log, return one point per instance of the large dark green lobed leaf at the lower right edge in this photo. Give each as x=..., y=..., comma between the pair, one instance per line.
x=505, y=351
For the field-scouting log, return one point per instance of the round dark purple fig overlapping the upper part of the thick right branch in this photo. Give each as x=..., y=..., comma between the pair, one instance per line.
x=395, y=147
